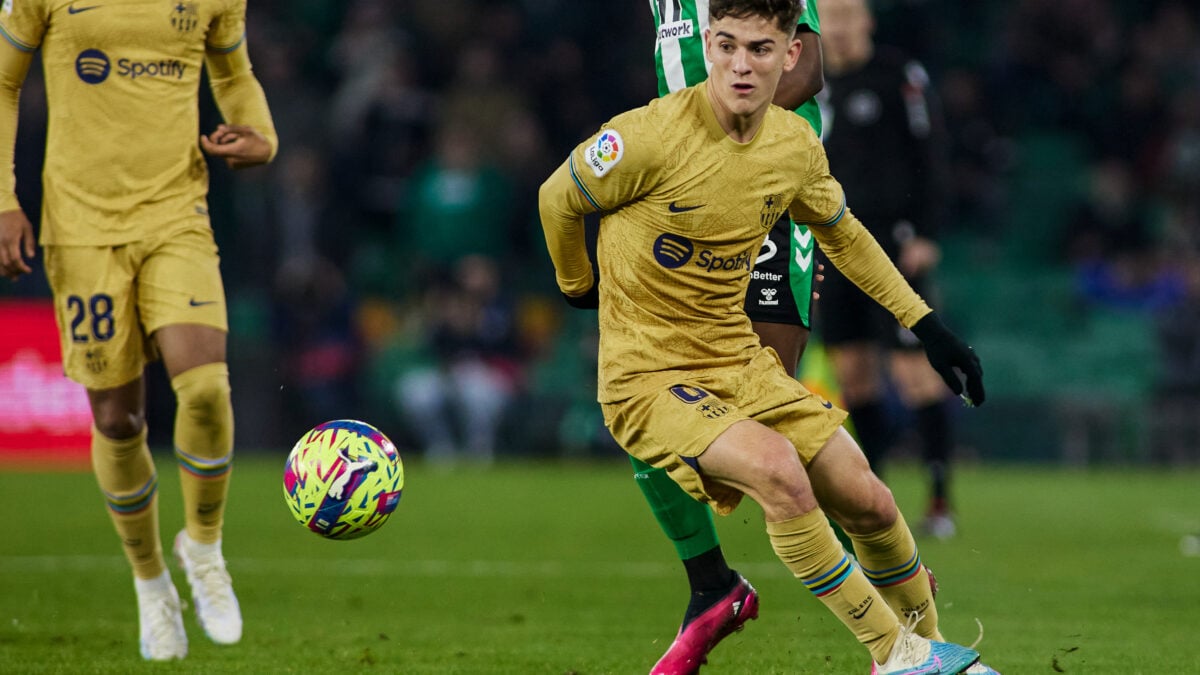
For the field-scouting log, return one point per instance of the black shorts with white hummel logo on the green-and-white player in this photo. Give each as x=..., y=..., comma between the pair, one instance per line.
x=782, y=282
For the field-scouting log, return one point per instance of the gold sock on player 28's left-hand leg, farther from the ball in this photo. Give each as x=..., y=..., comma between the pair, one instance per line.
x=127, y=476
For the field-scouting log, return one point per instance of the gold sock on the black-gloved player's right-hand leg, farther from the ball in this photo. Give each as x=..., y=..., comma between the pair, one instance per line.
x=891, y=561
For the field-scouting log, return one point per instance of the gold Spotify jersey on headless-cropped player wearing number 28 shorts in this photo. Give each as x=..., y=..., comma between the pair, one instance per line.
x=122, y=80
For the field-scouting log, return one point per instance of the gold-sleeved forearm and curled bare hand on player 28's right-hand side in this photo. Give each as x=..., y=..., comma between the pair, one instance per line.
x=248, y=139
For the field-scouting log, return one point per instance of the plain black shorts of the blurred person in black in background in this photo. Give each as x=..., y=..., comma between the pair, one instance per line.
x=848, y=315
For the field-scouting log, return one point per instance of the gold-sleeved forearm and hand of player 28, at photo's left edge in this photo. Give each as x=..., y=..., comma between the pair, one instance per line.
x=16, y=234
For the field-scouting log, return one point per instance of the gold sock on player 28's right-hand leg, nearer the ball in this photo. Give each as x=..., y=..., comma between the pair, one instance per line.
x=205, y=447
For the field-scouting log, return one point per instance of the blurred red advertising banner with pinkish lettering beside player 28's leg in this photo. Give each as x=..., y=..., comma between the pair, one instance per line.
x=45, y=419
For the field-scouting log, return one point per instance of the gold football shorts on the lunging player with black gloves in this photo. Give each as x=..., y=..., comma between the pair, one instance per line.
x=671, y=426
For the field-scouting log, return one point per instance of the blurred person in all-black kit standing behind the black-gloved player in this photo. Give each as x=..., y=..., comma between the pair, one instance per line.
x=886, y=144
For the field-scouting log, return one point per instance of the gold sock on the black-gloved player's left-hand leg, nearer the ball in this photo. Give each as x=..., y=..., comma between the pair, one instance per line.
x=811, y=549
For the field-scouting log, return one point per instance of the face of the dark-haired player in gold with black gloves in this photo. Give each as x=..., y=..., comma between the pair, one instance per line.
x=749, y=56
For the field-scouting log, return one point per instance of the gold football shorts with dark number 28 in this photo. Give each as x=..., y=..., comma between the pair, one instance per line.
x=110, y=300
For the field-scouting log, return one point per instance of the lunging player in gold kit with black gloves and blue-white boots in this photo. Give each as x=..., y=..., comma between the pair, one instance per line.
x=687, y=188
